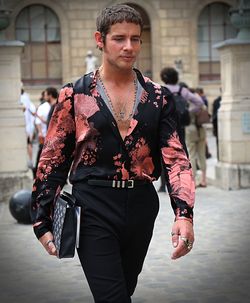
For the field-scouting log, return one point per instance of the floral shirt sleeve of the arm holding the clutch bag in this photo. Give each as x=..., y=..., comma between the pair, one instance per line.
x=54, y=163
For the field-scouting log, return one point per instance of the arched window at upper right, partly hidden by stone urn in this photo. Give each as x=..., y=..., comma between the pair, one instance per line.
x=213, y=26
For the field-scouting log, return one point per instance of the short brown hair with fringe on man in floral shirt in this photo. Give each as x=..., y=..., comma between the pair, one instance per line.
x=117, y=14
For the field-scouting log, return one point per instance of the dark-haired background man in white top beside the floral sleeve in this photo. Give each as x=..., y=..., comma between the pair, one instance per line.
x=43, y=116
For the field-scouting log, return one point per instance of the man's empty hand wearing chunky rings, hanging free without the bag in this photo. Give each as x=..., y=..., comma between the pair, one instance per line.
x=182, y=229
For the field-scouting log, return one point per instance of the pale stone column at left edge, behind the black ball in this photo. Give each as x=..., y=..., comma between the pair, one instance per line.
x=13, y=148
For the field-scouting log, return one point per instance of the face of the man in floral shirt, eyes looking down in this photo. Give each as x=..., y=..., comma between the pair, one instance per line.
x=122, y=45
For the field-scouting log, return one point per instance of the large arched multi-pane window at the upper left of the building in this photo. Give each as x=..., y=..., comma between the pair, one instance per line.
x=38, y=27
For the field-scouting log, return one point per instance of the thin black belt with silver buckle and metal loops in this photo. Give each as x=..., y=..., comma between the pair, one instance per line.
x=118, y=183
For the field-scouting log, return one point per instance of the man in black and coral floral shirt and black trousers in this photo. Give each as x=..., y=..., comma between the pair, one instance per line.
x=114, y=124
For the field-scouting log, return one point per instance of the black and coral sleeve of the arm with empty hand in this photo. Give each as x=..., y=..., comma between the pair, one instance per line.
x=176, y=164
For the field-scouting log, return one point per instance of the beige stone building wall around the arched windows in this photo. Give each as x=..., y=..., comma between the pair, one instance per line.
x=173, y=27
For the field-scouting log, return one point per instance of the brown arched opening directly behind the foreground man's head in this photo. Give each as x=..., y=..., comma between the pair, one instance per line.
x=144, y=61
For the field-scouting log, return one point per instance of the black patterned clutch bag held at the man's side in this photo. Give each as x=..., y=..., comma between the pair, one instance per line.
x=66, y=225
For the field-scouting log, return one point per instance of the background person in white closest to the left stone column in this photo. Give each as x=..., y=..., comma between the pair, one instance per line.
x=29, y=110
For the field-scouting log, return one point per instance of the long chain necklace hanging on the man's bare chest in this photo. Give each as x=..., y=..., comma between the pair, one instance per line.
x=120, y=116
